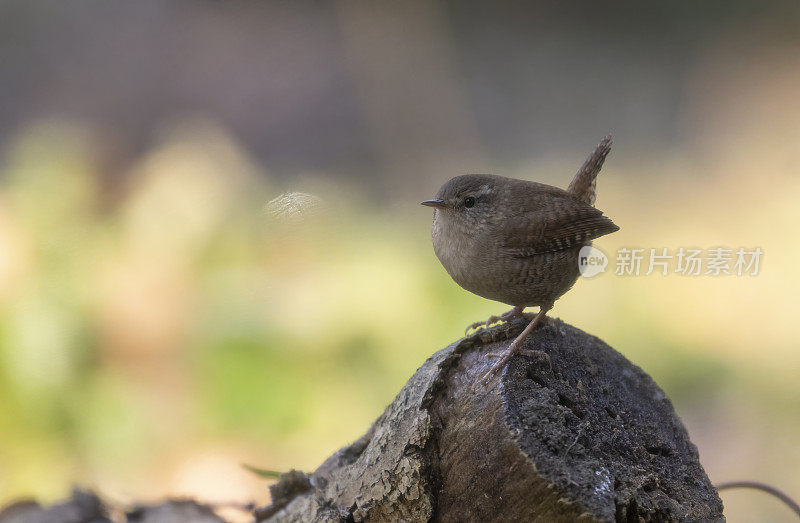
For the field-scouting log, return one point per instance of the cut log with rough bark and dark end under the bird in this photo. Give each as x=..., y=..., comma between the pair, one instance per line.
x=570, y=431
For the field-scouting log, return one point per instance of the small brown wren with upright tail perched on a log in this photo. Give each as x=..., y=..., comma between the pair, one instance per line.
x=515, y=241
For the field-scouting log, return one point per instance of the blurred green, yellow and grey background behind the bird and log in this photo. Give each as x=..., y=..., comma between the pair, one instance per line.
x=161, y=324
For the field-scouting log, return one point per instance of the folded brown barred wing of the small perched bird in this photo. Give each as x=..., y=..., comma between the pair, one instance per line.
x=556, y=224
